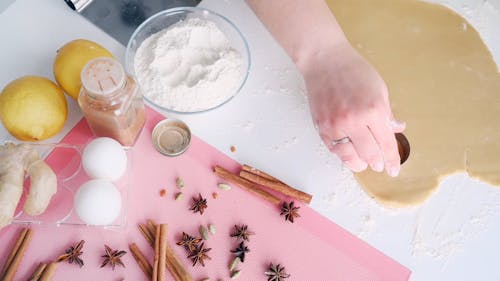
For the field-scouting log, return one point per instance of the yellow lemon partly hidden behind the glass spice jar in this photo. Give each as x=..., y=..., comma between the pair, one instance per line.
x=70, y=60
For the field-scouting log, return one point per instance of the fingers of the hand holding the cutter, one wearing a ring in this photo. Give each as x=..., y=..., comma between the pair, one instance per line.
x=371, y=133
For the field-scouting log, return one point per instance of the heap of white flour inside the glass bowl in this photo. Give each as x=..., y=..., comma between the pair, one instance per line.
x=189, y=66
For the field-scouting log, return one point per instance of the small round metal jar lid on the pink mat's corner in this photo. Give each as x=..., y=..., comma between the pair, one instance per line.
x=171, y=137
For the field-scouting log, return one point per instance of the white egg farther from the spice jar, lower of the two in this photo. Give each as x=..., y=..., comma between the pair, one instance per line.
x=98, y=202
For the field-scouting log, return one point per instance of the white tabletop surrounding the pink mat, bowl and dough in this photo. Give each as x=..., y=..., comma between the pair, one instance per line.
x=453, y=236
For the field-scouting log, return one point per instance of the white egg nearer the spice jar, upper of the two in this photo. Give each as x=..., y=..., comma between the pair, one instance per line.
x=104, y=158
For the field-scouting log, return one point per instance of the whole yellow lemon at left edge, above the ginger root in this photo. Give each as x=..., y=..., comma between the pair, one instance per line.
x=33, y=108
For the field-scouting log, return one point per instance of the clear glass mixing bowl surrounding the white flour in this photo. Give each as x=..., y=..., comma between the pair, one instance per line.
x=164, y=19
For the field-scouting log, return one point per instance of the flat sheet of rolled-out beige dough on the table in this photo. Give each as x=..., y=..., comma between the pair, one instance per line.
x=442, y=81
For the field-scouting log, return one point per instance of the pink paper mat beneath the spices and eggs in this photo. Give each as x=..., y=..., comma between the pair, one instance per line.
x=313, y=248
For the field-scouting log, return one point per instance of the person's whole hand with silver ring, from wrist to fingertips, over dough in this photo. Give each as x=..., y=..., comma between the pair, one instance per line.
x=348, y=98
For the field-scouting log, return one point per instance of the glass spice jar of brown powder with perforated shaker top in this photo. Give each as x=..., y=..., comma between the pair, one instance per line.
x=111, y=101
